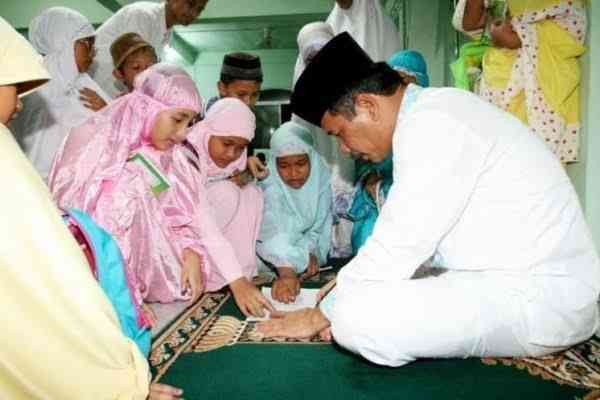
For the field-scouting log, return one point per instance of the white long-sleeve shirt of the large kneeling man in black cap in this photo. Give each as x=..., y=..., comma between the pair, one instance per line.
x=475, y=186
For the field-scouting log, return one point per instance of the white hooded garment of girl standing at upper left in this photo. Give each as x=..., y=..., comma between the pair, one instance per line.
x=49, y=114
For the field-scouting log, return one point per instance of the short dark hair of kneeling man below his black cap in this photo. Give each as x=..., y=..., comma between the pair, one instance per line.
x=384, y=81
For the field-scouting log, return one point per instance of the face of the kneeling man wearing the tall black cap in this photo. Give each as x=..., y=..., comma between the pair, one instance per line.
x=362, y=137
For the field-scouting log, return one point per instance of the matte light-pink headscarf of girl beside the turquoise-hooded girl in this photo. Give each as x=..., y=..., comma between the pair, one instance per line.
x=227, y=117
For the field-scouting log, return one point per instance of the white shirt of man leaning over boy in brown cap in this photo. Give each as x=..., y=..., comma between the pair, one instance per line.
x=145, y=18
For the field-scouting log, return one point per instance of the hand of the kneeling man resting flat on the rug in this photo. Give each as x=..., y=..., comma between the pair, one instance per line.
x=301, y=324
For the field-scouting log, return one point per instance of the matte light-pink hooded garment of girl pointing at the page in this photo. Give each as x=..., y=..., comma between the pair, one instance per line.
x=233, y=218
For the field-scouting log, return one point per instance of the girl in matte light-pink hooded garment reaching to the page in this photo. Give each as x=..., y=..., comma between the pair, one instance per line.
x=232, y=219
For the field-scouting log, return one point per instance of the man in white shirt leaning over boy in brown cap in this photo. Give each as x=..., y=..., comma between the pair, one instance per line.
x=152, y=21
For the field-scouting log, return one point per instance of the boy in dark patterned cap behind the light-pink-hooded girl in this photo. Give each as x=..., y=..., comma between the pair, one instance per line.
x=241, y=77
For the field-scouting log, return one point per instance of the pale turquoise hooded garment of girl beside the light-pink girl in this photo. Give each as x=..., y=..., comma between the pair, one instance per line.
x=296, y=222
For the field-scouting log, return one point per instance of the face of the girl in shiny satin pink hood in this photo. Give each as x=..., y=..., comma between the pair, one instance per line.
x=170, y=128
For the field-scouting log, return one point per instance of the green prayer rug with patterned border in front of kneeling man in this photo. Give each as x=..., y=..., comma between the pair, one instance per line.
x=212, y=353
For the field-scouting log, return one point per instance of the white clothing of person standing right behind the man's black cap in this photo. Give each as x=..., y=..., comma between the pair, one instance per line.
x=366, y=22
